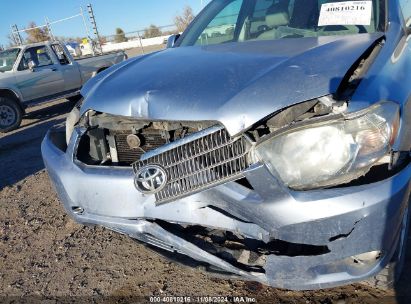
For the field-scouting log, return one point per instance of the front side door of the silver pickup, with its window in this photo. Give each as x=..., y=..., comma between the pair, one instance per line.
x=45, y=79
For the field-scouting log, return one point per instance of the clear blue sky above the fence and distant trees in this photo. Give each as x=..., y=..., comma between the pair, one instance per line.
x=130, y=15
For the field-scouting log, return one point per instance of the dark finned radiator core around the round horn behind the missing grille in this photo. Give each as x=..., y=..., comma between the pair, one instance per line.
x=150, y=139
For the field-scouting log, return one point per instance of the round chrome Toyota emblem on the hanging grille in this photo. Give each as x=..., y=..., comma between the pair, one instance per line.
x=150, y=179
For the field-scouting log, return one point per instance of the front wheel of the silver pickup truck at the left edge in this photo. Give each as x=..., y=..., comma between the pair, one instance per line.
x=11, y=114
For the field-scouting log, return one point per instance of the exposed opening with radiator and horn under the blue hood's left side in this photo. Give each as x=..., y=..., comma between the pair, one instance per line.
x=122, y=141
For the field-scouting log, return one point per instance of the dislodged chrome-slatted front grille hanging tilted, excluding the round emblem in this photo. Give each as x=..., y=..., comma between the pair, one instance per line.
x=199, y=164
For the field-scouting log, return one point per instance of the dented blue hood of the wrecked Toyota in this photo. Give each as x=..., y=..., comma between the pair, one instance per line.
x=236, y=84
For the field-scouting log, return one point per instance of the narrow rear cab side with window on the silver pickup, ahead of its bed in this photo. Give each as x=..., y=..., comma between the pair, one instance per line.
x=69, y=68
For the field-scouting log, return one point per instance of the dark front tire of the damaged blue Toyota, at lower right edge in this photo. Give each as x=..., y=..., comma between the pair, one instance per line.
x=391, y=274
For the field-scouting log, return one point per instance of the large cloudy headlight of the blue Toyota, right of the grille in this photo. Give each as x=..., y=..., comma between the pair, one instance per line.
x=331, y=152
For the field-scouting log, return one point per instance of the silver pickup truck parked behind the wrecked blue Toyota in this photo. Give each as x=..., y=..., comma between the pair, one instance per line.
x=43, y=72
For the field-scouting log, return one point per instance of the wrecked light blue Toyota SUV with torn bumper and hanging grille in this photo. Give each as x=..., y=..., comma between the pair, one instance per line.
x=278, y=152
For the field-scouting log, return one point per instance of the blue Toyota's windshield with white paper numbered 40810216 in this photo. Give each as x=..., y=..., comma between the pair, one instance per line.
x=243, y=20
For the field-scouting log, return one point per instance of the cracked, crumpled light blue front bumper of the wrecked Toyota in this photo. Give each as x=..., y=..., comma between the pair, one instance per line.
x=348, y=221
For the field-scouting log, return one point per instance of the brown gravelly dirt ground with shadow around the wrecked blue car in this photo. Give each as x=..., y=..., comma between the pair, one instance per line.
x=44, y=255
